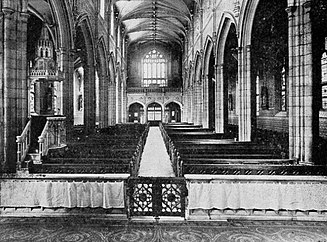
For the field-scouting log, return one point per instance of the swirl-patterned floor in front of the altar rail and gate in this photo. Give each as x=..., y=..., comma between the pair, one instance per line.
x=81, y=229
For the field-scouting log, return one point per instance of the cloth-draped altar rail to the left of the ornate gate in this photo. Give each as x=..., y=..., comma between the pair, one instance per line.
x=63, y=195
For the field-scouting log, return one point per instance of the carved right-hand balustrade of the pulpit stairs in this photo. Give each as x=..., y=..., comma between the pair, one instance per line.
x=53, y=135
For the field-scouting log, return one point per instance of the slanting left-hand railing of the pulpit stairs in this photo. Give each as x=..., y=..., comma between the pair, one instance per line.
x=23, y=143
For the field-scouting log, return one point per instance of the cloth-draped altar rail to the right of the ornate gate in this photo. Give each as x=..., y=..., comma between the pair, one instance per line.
x=215, y=197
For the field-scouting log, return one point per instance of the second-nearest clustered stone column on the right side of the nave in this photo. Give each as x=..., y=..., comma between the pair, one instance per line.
x=244, y=118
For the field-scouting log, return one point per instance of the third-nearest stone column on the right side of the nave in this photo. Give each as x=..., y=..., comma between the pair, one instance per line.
x=219, y=119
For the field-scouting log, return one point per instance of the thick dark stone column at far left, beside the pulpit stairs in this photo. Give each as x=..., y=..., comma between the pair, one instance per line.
x=14, y=88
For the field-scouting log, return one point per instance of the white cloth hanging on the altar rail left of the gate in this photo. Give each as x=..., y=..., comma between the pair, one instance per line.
x=67, y=194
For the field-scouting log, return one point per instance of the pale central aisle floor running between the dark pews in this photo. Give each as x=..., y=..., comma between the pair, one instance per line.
x=155, y=159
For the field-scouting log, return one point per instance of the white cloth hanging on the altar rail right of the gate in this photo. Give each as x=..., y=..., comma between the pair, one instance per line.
x=276, y=195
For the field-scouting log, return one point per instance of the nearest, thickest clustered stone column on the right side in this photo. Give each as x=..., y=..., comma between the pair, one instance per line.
x=300, y=83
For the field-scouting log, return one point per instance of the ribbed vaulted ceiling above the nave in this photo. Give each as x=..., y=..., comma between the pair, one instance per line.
x=160, y=21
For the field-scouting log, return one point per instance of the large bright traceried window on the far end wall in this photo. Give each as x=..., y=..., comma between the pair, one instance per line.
x=154, y=69
